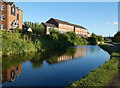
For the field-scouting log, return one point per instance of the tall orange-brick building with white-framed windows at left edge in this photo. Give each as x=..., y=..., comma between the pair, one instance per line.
x=10, y=16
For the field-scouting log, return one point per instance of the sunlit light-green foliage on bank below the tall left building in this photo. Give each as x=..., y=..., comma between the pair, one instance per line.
x=13, y=44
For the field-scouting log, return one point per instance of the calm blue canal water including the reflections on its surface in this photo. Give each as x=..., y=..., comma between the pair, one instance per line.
x=52, y=68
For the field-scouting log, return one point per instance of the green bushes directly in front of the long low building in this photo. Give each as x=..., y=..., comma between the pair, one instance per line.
x=68, y=38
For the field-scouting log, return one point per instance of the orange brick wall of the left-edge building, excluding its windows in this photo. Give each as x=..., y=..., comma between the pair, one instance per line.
x=9, y=18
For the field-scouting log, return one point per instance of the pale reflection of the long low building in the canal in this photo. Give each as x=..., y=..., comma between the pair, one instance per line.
x=70, y=54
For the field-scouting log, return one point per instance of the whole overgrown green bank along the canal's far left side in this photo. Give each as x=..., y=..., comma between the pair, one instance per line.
x=19, y=43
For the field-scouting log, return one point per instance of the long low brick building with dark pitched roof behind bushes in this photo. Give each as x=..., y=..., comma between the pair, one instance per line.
x=64, y=27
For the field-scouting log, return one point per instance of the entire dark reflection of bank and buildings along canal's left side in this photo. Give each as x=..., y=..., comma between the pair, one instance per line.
x=12, y=66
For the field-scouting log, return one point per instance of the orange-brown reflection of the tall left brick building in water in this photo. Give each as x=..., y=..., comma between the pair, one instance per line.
x=11, y=73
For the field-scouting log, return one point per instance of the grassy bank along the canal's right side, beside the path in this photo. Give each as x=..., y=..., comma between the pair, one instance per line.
x=103, y=75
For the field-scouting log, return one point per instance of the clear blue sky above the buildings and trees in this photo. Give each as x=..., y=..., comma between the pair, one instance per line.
x=100, y=18
